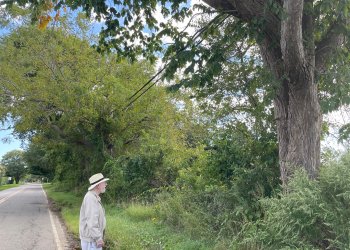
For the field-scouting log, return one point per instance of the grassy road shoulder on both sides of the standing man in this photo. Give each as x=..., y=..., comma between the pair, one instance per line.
x=131, y=226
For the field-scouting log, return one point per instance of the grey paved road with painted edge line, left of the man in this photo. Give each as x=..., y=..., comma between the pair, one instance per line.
x=26, y=223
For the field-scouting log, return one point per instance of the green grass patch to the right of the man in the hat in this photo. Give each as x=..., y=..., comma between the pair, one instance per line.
x=130, y=229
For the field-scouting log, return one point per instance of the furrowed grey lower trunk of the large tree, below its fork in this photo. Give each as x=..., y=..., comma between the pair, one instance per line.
x=299, y=119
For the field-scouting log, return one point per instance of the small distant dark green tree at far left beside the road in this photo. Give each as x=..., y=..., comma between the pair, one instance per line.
x=14, y=164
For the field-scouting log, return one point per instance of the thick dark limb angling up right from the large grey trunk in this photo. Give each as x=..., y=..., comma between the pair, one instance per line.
x=328, y=45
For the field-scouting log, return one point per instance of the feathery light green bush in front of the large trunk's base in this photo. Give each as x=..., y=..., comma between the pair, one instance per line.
x=314, y=214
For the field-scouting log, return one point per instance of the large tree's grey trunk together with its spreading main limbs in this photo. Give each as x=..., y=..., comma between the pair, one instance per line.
x=295, y=45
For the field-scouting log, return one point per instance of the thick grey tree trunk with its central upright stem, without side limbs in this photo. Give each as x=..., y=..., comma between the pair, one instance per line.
x=297, y=106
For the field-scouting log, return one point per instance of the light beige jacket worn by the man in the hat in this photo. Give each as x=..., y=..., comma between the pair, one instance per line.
x=92, y=221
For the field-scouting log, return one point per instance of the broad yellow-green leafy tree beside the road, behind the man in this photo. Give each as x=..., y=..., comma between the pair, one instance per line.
x=69, y=102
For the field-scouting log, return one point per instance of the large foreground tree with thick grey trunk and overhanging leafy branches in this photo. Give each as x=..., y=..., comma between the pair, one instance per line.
x=302, y=44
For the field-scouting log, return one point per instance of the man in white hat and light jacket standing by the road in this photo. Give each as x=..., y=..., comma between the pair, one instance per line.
x=92, y=221
